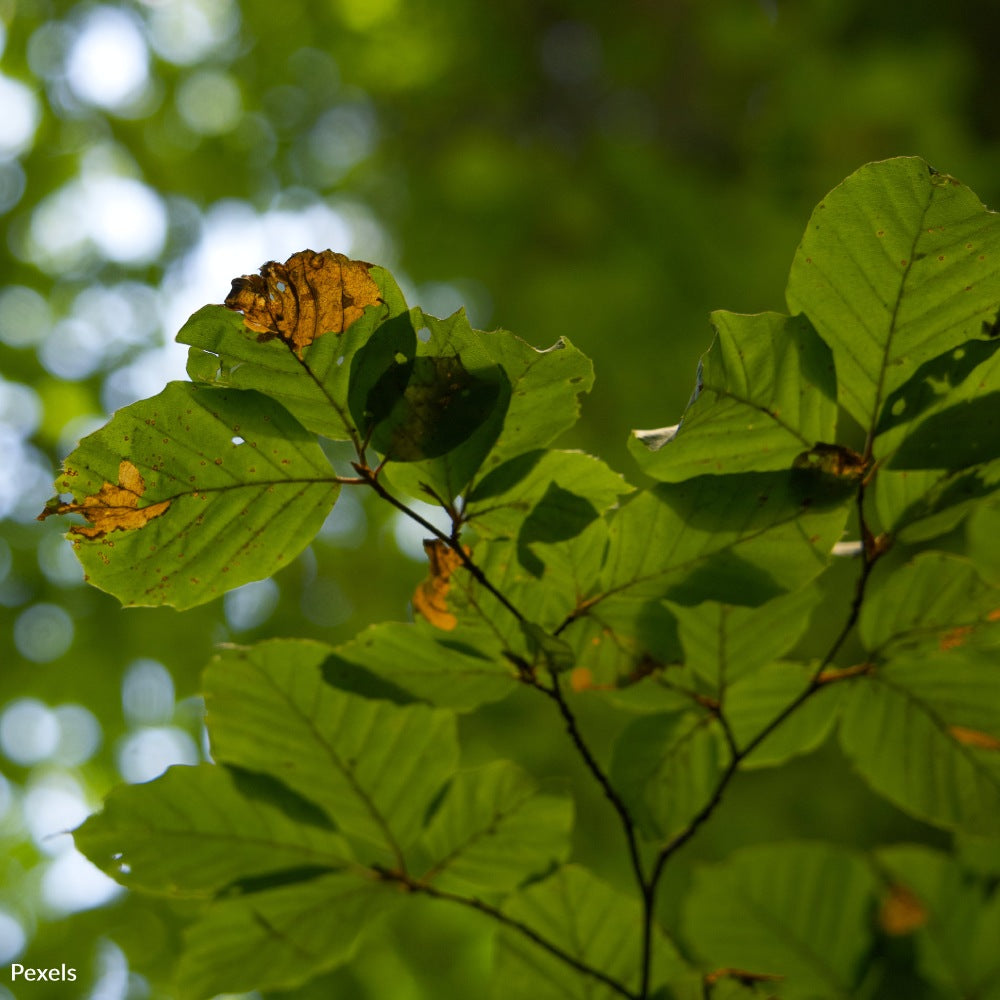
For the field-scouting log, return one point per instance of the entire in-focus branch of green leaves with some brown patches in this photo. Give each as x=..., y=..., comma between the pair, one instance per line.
x=338, y=791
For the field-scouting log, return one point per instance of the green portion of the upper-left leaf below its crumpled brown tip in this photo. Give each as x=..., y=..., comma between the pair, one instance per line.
x=314, y=389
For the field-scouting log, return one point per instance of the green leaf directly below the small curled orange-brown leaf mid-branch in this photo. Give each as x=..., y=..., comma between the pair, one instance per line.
x=460, y=670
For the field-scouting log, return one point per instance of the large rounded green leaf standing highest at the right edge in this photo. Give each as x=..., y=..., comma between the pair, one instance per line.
x=895, y=268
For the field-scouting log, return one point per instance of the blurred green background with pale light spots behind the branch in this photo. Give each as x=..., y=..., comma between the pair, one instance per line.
x=610, y=172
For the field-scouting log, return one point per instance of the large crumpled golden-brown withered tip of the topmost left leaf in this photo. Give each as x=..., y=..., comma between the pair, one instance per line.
x=307, y=296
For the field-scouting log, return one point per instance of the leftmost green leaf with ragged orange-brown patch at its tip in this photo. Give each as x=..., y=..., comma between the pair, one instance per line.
x=196, y=491
